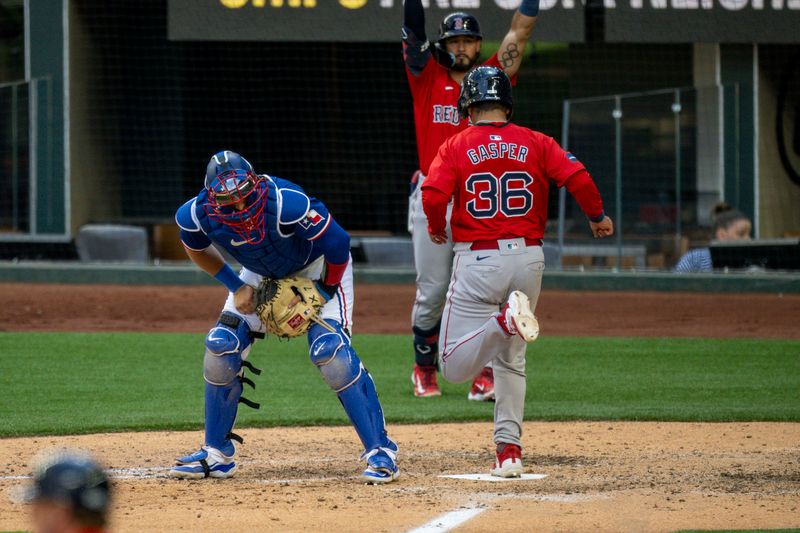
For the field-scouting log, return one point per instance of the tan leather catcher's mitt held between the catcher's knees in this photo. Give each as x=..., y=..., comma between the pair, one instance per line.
x=287, y=306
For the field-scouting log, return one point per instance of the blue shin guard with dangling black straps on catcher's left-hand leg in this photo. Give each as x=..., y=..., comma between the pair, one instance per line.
x=227, y=343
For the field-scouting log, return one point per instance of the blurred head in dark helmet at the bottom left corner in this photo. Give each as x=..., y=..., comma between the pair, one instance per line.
x=69, y=492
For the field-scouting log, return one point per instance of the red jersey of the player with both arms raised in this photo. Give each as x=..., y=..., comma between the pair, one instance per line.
x=435, y=96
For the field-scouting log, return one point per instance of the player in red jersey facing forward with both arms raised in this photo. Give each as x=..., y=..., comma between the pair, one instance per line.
x=434, y=72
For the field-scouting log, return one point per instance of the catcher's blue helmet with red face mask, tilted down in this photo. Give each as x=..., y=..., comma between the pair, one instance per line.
x=236, y=195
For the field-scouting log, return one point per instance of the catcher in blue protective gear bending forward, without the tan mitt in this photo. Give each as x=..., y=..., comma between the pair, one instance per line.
x=274, y=230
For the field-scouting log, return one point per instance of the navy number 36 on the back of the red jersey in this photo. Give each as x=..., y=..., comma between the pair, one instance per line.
x=507, y=194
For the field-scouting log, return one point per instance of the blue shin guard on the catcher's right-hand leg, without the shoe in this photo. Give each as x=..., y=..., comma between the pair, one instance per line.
x=343, y=372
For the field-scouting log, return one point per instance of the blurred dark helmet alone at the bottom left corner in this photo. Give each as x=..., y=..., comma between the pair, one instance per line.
x=72, y=478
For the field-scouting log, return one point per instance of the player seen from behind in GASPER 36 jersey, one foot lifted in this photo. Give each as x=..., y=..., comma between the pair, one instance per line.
x=498, y=175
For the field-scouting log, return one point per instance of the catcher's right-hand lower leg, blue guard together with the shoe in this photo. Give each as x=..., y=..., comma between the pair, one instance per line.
x=343, y=372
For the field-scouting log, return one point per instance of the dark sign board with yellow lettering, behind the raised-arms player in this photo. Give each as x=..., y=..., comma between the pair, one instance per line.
x=354, y=20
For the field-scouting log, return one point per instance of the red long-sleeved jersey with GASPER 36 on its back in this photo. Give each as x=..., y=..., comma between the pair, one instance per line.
x=499, y=175
